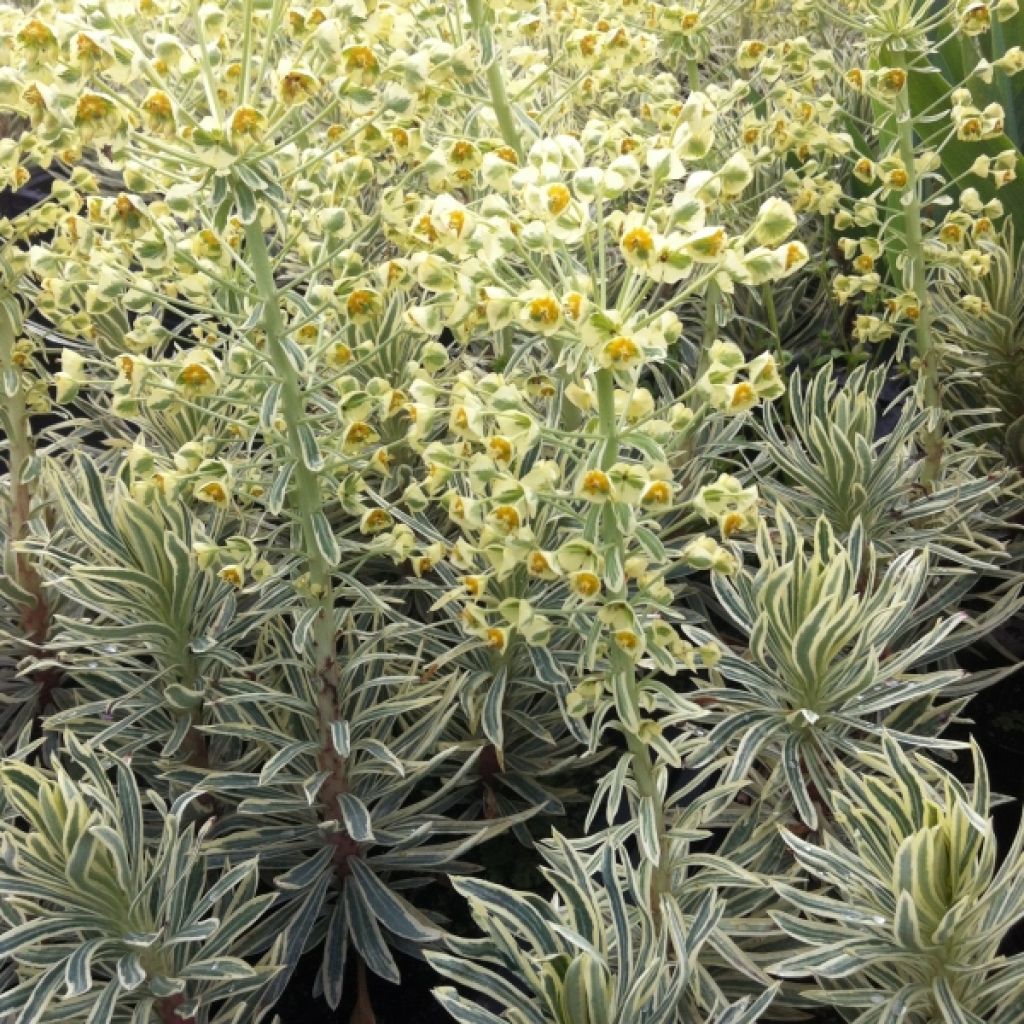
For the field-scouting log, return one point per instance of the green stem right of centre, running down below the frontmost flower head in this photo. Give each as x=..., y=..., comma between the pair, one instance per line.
x=621, y=663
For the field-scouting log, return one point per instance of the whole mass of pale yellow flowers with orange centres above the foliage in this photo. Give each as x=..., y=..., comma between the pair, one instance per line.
x=473, y=312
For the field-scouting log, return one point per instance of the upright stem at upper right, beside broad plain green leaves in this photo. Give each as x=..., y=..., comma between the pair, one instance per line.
x=927, y=351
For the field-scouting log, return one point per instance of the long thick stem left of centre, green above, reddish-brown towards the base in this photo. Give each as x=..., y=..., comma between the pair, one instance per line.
x=306, y=497
